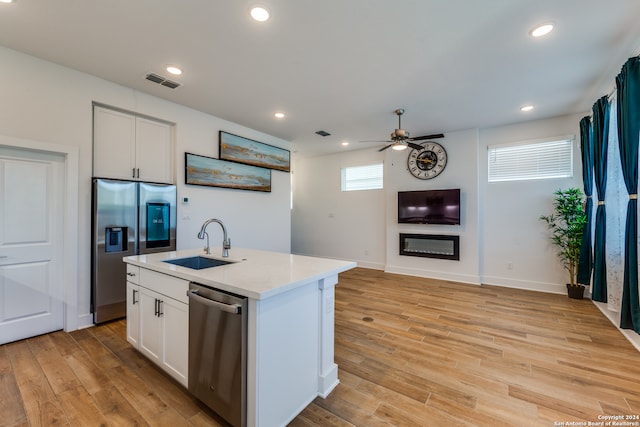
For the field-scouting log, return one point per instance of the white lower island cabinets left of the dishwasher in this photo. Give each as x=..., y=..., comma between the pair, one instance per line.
x=162, y=322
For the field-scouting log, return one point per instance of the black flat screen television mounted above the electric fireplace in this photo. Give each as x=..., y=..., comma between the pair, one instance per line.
x=429, y=207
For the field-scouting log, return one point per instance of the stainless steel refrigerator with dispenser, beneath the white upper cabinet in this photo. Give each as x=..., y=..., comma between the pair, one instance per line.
x=128, y=218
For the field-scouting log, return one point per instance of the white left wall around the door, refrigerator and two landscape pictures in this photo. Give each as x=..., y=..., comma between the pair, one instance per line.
x=45, y=102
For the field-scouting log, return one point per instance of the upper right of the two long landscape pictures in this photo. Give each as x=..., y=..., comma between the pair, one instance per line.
x=244, y=150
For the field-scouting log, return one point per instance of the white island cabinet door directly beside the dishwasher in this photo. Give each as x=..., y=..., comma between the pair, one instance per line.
x=175, y=319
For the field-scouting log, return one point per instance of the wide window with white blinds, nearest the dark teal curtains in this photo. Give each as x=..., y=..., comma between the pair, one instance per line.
x=545, y=159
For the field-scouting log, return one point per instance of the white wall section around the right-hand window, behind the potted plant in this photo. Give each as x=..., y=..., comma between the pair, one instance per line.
x=513, y=234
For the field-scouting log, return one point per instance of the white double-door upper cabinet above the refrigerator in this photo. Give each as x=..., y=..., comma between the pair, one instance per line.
x=126, y=146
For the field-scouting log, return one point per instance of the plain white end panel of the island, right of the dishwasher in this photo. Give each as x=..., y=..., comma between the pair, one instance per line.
x=285, y=355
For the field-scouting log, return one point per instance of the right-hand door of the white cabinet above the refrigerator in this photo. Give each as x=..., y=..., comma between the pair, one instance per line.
x=153, y=151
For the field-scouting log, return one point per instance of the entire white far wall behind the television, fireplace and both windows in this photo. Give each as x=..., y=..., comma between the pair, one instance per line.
x=500, y=225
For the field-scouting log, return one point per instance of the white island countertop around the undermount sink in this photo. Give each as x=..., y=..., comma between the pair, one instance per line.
x=253, y=273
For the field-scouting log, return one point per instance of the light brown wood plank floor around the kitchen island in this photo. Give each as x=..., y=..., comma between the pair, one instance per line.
x=411, y=352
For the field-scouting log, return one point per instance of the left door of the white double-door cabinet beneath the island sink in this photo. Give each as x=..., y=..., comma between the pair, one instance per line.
x=150, y=342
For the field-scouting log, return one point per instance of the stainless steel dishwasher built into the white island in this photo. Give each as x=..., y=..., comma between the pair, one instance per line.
x=218, y=351
